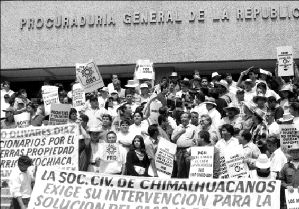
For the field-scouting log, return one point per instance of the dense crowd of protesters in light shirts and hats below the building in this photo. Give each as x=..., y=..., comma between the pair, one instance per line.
x=200, y=111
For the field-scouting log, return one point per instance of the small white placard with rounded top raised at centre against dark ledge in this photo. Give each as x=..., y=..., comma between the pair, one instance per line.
x=144, y=70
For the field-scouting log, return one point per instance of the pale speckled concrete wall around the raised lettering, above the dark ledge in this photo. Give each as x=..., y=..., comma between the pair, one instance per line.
x=120, y=43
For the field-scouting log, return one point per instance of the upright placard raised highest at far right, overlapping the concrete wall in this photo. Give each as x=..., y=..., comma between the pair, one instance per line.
x=285, y=61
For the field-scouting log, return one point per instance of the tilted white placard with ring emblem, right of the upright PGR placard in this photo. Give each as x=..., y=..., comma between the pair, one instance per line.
x=234, y=160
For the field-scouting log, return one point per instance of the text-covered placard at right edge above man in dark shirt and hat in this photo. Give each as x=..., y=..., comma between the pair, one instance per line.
x=289, y=136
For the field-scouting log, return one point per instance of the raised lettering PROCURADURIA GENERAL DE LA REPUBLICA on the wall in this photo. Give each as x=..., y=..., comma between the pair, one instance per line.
x=244, y=14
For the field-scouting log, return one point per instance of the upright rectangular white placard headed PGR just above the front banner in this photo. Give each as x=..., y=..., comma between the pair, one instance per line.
x=201, y=165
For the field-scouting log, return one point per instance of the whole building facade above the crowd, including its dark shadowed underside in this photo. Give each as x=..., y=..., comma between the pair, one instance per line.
x=43, y=40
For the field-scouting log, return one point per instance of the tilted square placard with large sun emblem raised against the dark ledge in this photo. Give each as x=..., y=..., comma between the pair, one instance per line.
x=89, y=76
